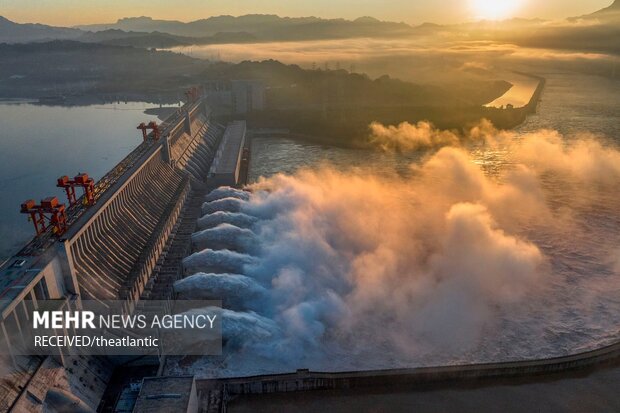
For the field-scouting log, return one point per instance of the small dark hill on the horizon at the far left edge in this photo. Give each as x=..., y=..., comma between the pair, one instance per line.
x=11, y=32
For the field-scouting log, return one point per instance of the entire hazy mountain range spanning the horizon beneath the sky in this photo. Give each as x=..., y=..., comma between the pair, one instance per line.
x=602, y=33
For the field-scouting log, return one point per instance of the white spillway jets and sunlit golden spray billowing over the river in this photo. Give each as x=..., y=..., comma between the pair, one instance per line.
x=347, y=270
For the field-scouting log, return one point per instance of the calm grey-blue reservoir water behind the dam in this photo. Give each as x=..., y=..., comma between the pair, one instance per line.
x=40, y=143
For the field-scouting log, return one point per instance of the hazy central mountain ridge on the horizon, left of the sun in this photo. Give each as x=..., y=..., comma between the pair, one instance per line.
x=262, y=26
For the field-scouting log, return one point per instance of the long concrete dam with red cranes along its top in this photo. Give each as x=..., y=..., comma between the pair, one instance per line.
x=122, y=240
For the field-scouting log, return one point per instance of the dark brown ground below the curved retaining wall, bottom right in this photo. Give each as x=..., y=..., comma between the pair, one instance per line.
x=594, y=392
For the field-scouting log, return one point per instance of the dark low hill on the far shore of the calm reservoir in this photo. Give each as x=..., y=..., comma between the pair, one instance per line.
x=74, y=68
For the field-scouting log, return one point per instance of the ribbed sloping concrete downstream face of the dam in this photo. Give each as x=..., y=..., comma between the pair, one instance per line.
x=115, y=248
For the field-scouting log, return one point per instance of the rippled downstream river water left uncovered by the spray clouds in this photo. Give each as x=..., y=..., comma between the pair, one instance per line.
x=580, y=309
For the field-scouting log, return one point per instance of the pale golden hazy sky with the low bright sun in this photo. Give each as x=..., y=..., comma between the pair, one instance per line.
x=73, y=12
